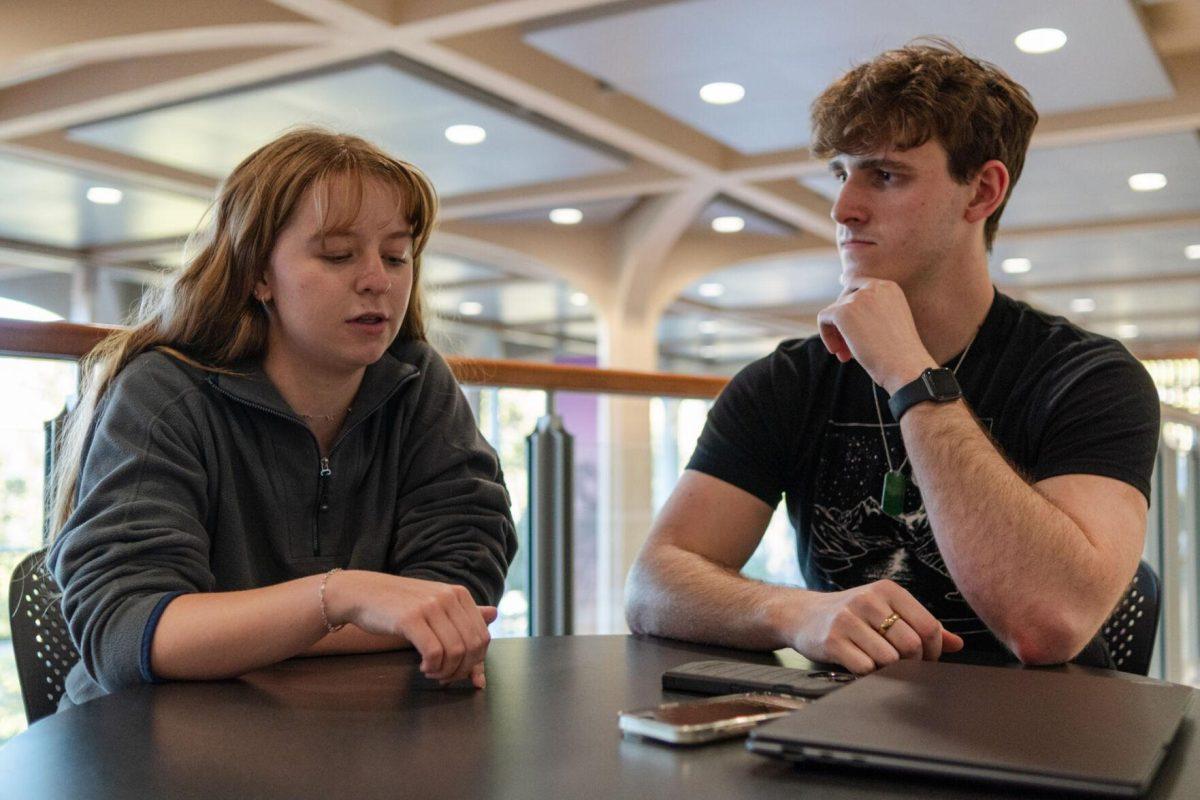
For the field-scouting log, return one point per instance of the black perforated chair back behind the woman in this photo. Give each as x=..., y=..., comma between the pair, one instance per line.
x=40, y=640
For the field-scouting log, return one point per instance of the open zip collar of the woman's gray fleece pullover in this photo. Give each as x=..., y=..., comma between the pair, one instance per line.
x=249, y=383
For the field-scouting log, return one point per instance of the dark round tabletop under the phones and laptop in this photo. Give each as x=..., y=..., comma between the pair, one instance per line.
x=371, y=727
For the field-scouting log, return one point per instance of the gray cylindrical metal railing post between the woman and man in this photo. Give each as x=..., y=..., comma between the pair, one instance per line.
x=550, y=458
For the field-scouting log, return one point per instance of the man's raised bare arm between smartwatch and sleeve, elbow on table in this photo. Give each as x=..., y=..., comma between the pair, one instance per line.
x=1042, y=566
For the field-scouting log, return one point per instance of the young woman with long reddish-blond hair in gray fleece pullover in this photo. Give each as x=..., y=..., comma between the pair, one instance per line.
x=274, y=462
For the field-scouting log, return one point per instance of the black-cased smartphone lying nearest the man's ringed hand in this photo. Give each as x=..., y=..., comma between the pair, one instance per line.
x=725, y=677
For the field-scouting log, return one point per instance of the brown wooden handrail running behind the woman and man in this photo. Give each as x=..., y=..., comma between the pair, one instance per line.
x=74, y=341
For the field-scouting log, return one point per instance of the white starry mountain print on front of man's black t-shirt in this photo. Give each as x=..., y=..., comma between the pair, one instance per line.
x=853, y=543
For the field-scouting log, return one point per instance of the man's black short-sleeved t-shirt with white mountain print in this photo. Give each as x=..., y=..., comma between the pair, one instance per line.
x=1055, y=399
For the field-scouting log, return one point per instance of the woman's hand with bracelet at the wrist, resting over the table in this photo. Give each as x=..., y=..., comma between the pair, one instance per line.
x=440, y=619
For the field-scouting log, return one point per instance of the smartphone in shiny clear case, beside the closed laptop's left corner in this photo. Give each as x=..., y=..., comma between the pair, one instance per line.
x=694, y=723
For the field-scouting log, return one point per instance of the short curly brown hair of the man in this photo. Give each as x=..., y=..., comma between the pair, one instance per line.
x=929, y=91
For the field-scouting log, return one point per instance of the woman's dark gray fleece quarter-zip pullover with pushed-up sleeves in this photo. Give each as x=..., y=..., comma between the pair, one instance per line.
x=195, y=482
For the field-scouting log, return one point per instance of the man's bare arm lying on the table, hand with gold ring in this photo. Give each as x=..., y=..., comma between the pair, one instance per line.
x=686, y=585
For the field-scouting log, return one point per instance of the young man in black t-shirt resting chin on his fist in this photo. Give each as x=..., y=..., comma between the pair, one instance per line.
x=1001, y=522
